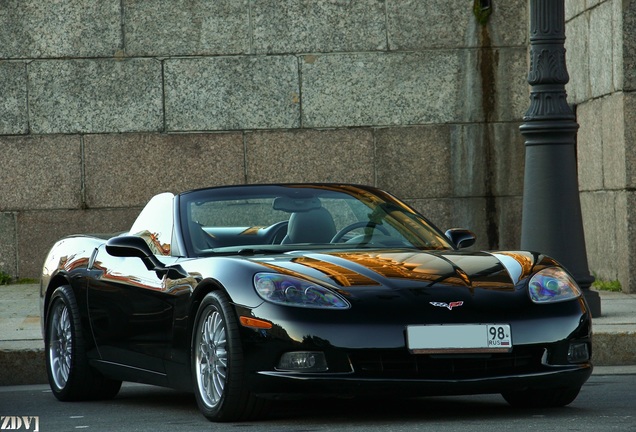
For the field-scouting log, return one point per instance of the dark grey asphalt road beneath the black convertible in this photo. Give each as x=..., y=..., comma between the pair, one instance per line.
x=606, y=403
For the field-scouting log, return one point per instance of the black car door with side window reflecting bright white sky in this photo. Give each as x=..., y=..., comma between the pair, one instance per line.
x=131, y=308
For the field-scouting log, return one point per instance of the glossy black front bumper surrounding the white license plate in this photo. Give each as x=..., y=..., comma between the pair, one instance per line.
x=366, y=357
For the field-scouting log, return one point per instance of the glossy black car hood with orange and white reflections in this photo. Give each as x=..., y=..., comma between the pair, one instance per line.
x=403, y=268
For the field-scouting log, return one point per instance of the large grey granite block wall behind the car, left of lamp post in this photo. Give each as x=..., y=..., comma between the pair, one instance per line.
x=107, y=103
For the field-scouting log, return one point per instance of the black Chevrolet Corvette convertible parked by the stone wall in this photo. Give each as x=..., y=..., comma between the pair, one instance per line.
x=244, y=294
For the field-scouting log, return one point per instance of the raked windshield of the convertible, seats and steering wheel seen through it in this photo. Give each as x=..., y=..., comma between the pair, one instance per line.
x=245, y=219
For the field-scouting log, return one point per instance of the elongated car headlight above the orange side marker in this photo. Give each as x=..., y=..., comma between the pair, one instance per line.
x=291, y=291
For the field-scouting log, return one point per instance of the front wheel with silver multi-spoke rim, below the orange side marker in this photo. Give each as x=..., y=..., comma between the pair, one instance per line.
x=218, y=365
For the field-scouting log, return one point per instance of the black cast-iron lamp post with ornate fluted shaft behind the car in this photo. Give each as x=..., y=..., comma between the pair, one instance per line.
x=552, y=221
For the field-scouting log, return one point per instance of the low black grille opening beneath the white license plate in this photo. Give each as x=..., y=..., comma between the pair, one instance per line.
x=402, y=364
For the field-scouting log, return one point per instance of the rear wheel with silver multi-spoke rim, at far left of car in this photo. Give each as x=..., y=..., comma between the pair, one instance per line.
x=70, y=376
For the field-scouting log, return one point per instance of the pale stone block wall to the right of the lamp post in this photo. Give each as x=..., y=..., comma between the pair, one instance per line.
x=601, y=55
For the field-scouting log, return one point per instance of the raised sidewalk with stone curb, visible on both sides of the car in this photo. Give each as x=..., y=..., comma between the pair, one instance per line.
x=22, y=348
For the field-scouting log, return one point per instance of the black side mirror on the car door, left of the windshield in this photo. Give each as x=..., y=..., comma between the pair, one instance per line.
x=133, y=246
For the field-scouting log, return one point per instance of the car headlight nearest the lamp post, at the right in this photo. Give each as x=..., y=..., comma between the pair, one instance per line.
x=552, y=285
